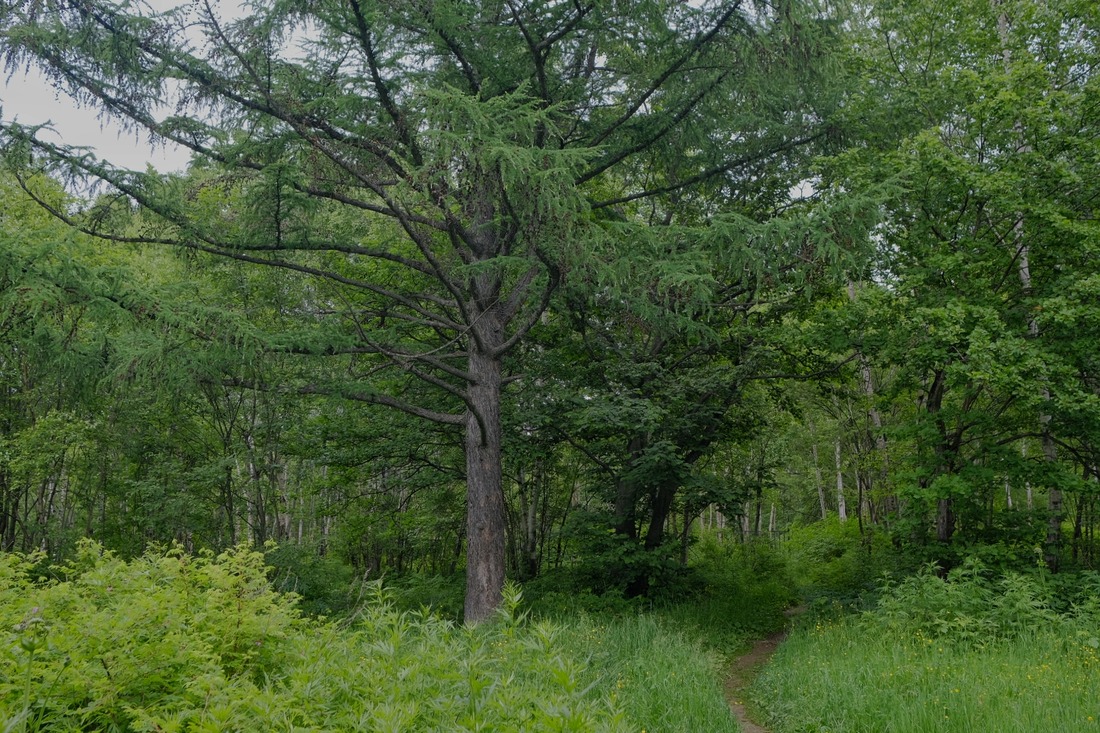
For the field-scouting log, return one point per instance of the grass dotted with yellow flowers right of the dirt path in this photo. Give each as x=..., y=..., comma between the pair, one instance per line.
x=842, y=680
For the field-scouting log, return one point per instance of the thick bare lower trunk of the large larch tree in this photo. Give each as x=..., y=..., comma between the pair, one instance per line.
x=486, y=516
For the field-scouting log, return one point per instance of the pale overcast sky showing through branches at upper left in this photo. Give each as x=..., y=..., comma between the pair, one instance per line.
x=28, y=97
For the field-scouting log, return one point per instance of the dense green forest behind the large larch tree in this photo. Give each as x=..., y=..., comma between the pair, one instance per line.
x=888, y=321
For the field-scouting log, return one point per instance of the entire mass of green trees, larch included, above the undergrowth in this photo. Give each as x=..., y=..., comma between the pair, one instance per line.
x=530, y=287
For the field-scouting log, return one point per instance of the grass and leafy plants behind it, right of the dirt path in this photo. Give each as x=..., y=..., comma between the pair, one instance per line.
x=972, y=652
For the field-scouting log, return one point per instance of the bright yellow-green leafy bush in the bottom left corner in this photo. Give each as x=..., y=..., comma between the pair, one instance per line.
x=115, y=643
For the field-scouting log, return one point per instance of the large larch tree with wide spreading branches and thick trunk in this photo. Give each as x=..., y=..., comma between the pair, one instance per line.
x=433, y=169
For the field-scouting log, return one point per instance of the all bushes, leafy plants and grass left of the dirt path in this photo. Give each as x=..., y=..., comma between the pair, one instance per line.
x=171, y=642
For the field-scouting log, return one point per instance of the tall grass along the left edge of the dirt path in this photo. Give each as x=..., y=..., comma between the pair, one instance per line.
x=665, y=659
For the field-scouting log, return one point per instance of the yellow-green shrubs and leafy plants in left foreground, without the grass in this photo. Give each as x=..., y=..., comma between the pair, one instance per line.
x=170, y=642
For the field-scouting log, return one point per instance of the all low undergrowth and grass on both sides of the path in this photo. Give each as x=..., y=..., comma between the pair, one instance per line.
x=172, y=642
